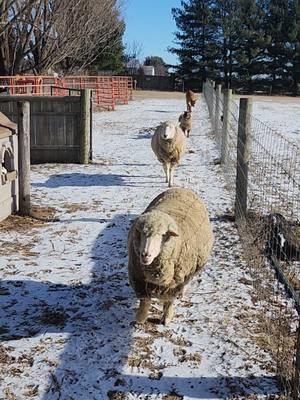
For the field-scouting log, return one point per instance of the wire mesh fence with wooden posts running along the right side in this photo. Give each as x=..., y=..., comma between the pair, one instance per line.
x=261, y=168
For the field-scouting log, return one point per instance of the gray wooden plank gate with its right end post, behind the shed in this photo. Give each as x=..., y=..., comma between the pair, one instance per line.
x=60, y=127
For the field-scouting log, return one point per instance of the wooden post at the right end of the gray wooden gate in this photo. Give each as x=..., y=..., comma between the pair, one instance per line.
x=85, y=116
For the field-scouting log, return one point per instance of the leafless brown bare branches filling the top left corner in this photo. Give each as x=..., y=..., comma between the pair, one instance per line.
x=36, y=35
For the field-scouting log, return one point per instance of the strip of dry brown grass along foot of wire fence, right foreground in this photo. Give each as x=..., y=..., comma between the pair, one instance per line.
x=275, y=331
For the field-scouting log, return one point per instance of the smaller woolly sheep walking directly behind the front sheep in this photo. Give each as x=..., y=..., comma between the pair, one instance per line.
x=168, y=144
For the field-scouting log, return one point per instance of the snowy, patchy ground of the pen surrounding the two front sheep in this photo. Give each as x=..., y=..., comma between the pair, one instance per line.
x=67, y=315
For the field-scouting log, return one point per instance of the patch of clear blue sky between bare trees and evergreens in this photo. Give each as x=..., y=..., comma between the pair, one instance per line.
x=151, y=25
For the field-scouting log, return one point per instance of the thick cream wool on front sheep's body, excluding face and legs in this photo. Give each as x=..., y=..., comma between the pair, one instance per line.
x=194, y=243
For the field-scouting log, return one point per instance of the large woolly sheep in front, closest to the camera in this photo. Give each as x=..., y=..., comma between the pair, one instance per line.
x=167, y=245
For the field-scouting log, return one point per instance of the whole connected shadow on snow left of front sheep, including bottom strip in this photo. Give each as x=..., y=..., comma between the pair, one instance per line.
x=97, y=317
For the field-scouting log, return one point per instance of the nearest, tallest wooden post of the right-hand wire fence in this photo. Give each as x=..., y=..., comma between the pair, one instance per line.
x=243, y=154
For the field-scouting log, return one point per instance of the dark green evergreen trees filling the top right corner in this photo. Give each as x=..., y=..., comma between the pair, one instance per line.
x=241, y=40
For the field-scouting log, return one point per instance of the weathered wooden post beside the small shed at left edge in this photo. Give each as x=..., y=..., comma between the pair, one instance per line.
x=24, y=156
